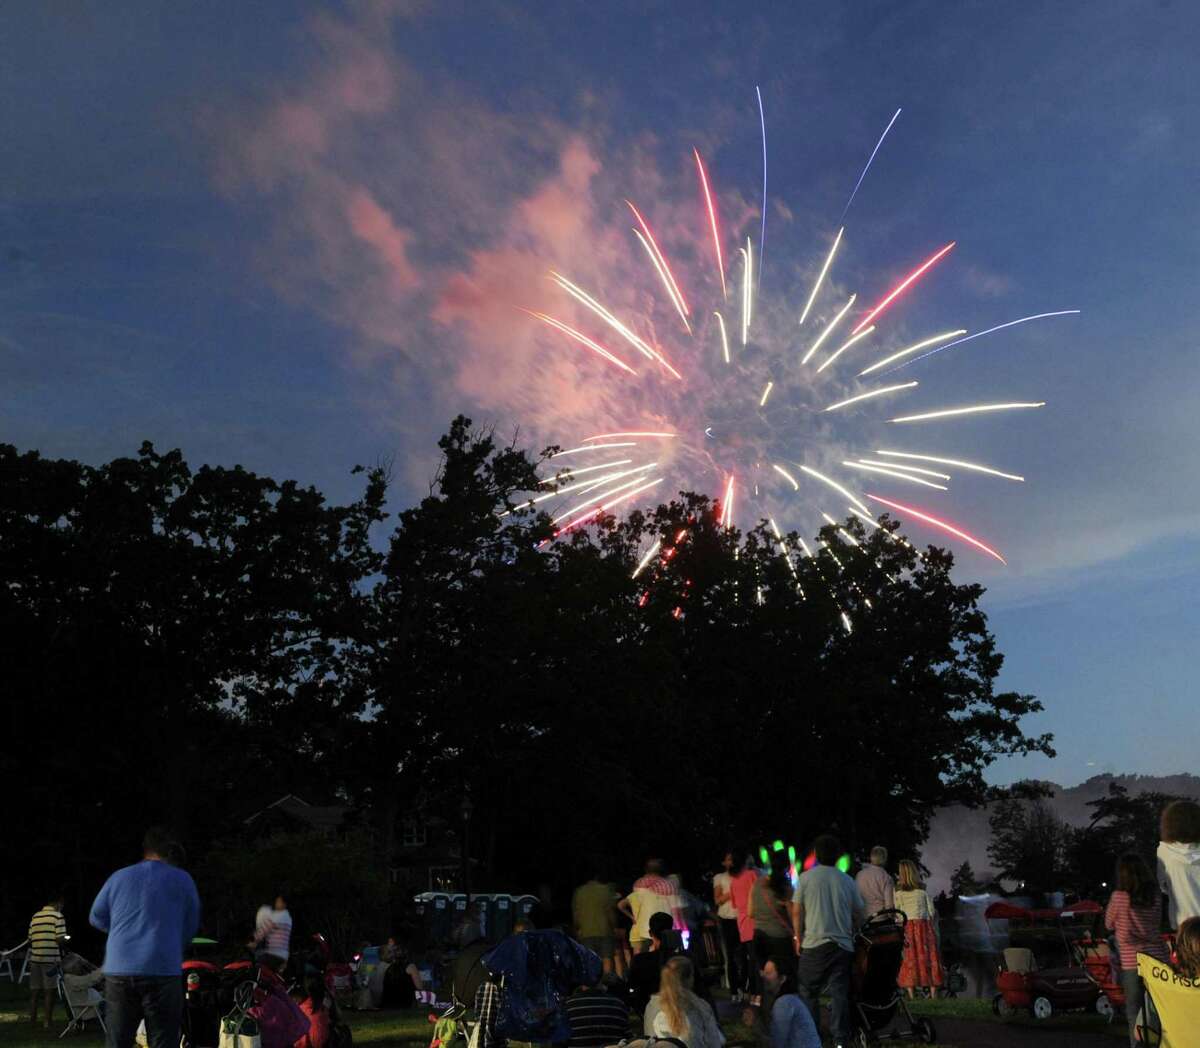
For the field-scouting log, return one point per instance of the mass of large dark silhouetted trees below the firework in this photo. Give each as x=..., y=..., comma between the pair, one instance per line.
x=182, y=640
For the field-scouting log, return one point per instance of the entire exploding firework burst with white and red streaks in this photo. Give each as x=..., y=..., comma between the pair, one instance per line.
x=752, y=418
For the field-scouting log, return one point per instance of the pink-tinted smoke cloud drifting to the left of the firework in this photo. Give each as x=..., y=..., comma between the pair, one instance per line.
x=425, y=223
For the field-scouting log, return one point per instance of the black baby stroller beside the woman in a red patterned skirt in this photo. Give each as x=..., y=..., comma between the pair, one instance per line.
x=875, y=996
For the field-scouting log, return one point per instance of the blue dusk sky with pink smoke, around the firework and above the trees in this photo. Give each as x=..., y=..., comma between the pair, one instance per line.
x=292, y=237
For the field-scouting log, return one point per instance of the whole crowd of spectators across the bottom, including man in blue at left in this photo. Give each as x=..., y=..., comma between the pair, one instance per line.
x=784, y=944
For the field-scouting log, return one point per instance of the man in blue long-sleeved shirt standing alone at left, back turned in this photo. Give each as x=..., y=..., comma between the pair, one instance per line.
x=151, y=912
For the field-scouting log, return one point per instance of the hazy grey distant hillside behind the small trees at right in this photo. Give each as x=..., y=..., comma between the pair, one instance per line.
x=961, y=834
